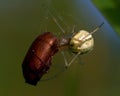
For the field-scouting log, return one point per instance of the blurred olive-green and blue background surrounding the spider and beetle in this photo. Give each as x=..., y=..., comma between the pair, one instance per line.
x=21, y=21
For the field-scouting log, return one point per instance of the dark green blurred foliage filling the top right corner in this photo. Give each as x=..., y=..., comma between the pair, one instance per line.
x=110, y=9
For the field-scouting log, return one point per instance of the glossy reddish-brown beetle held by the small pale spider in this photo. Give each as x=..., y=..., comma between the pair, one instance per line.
x=38, y=58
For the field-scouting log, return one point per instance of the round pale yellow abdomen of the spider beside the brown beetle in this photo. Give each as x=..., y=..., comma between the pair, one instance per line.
x=82, y=42
